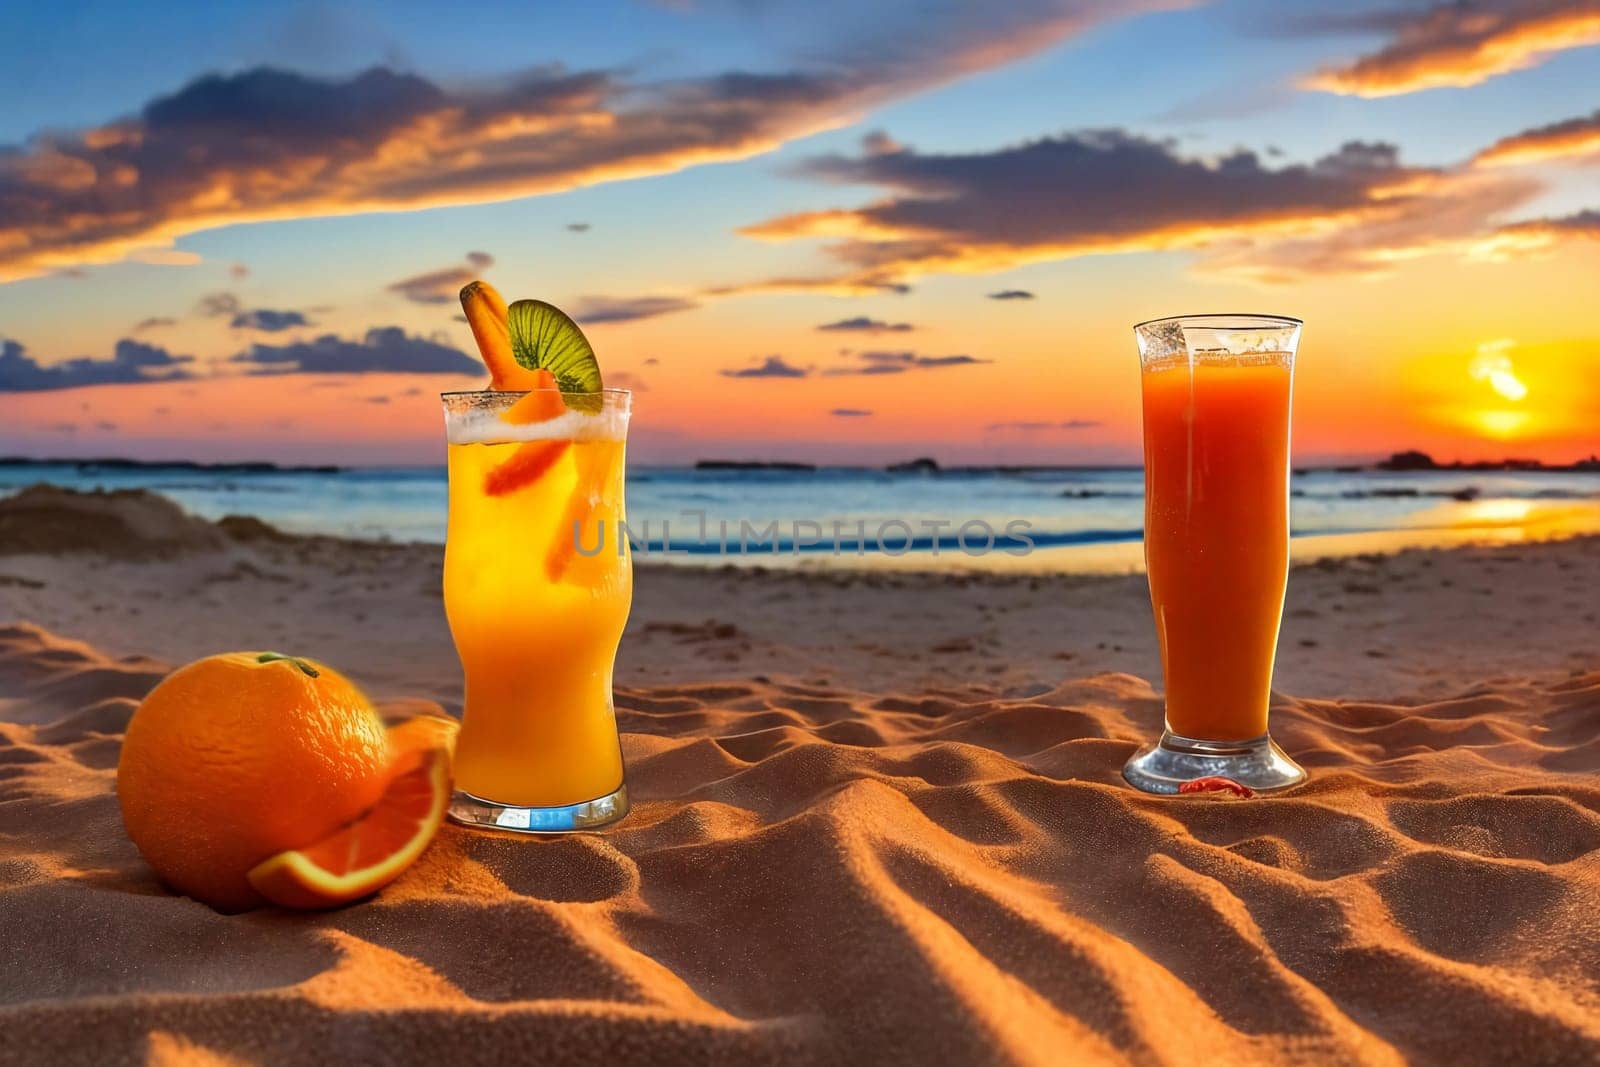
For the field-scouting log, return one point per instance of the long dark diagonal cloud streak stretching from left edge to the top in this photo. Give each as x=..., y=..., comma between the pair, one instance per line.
x=270, y=145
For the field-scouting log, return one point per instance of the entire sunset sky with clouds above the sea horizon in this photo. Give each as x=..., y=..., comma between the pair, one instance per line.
x=830, y=231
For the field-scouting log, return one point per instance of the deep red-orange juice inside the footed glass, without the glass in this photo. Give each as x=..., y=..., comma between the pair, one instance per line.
x=1217, y=463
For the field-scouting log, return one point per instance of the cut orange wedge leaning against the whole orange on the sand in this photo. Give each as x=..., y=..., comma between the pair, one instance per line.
x=370, y=853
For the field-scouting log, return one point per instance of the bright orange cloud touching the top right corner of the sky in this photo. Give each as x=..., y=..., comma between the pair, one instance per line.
x=1455, y=46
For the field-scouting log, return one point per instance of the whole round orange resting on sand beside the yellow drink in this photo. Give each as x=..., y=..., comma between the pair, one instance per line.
x=244, y=756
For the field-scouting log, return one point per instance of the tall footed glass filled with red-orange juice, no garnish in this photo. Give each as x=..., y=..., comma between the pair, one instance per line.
x=1217, y=541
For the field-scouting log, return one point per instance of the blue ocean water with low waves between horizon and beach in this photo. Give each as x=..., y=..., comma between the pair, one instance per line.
x=876, y=518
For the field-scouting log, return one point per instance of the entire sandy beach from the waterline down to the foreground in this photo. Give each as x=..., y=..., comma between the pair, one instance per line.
x=879, y=820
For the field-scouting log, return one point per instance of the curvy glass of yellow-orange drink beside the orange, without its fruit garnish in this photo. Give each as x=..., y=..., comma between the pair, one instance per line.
x=538, y=585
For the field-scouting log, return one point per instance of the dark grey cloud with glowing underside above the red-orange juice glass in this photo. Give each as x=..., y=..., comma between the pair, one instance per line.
x=1111, y=191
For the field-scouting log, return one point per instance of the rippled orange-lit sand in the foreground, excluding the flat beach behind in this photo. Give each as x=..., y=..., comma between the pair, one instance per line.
x=820, y=874
